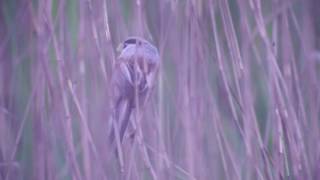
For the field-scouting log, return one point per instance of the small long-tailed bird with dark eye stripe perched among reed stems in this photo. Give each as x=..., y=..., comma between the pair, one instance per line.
x=133, y=77
